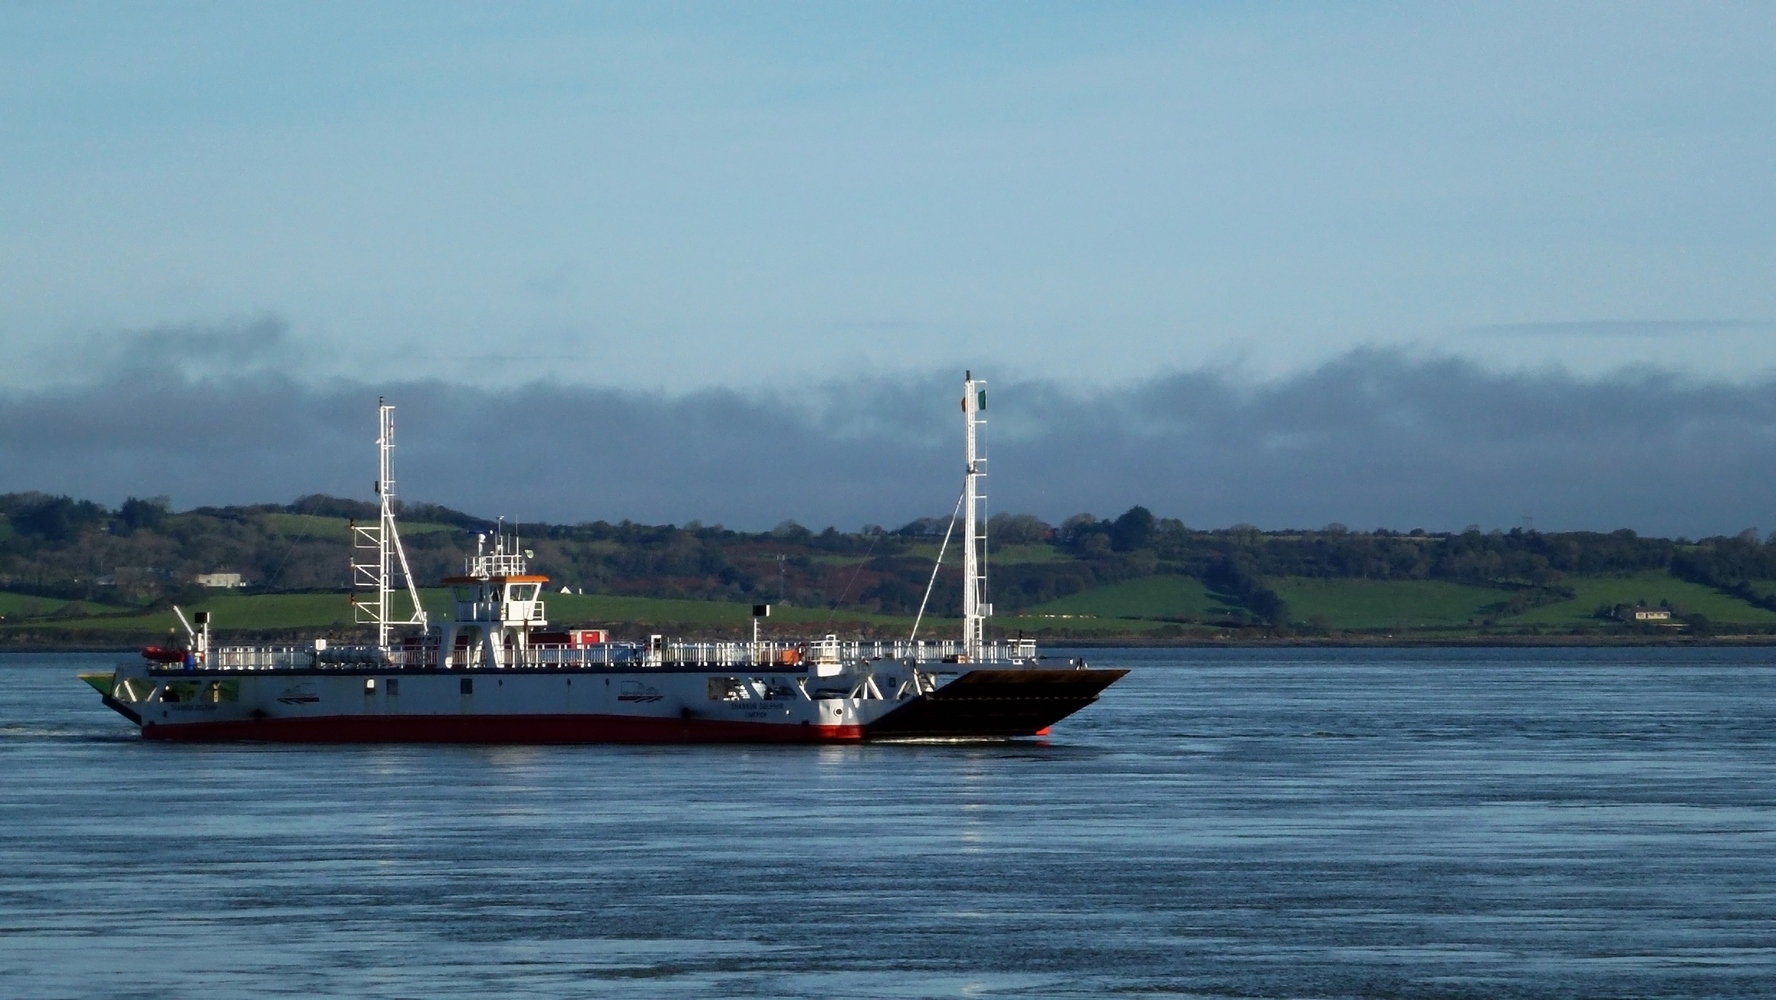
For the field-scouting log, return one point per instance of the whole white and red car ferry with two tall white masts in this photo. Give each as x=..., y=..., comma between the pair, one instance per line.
x=498, y=672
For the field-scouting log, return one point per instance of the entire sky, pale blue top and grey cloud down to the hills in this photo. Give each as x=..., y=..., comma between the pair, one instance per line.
x=1258, y=255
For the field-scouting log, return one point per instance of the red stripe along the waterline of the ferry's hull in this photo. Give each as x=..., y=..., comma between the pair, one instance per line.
x=502, y=729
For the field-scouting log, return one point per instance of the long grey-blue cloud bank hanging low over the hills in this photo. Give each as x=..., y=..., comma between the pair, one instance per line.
x=1370, y=440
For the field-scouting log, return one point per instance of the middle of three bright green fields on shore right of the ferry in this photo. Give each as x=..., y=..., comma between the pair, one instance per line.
x=1388, y=603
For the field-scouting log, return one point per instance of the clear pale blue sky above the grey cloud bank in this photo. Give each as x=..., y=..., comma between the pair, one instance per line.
x=734, y=194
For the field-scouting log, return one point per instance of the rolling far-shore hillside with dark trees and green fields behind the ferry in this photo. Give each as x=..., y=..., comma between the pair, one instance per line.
x=75, y=571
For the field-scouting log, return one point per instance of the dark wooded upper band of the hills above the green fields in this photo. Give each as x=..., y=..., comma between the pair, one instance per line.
x=145, y=553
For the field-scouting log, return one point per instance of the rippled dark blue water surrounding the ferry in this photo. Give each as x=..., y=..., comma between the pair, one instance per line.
x=1225, y=823
